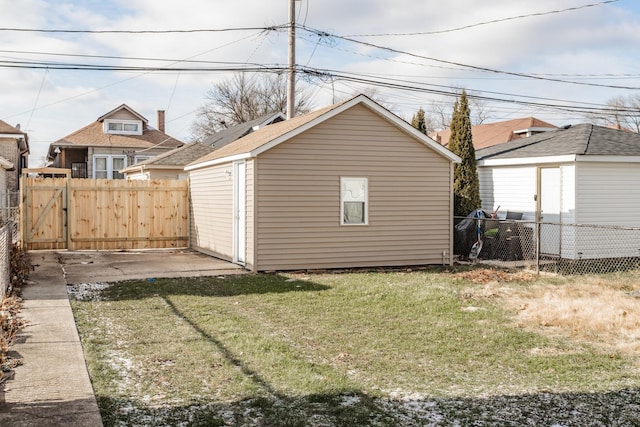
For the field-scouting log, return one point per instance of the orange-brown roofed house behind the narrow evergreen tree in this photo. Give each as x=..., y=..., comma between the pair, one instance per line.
x=489, y=134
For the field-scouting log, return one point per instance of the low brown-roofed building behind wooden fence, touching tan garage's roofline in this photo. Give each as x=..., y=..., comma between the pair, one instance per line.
x=169, y=165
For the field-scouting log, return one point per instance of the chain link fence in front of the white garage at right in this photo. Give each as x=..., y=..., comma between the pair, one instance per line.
x=547, y=247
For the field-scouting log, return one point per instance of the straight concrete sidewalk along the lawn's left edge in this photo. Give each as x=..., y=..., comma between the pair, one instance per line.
x=52, y=387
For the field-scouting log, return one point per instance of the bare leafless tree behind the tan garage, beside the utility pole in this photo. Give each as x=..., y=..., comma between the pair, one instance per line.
x=242, y=98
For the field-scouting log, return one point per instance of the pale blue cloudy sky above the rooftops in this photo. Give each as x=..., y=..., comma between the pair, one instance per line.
x=524, y=58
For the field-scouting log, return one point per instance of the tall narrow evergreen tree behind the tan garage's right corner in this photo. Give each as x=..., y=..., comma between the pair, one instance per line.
x=466, y=186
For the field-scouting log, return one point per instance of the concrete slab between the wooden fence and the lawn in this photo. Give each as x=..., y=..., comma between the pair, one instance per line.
x=93, y=267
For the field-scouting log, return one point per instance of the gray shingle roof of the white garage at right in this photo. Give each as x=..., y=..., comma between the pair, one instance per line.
x=583, y=139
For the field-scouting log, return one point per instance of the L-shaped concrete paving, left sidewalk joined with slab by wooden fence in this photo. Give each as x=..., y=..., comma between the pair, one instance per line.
x=52, y=387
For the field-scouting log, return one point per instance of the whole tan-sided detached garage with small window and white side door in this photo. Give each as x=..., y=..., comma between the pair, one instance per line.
x=351, y=185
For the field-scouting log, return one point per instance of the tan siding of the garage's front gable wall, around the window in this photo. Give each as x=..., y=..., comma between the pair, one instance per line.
x=298, y=222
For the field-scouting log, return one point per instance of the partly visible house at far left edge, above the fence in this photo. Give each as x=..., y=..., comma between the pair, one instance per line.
x=14, y=149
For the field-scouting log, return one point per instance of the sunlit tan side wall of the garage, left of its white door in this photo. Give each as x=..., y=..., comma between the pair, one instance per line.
x=211, y=210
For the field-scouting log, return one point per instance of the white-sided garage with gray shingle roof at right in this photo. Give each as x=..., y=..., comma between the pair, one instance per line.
x=577, y=175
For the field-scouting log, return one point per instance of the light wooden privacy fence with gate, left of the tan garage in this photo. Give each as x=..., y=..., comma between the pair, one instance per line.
x=104, y=214
